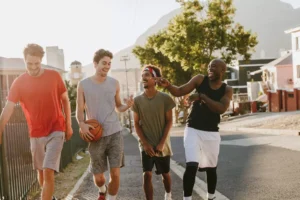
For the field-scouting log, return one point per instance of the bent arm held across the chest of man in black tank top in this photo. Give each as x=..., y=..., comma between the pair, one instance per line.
x=218, y=107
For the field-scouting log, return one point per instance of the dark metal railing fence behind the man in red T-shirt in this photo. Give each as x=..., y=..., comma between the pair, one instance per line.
x=17, y=174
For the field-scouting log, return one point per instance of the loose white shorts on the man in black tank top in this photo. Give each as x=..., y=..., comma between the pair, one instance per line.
x=202, y=147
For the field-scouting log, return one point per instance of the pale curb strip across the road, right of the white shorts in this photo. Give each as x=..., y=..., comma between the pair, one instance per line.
x=263, y=131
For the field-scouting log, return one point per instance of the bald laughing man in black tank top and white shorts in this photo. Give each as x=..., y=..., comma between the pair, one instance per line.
x=201, y=137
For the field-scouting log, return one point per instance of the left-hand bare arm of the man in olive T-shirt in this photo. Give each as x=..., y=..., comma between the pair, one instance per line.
x=147, y=148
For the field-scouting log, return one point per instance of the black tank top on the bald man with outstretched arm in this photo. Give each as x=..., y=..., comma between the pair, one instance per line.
x=201, y=117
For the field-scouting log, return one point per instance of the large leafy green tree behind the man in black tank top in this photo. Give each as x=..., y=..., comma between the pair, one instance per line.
x=203, y=31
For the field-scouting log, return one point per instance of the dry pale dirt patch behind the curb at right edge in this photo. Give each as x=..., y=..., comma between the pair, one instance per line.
x=289, y=122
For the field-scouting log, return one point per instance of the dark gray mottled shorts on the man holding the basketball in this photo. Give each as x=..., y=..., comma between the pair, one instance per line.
x=109, y=148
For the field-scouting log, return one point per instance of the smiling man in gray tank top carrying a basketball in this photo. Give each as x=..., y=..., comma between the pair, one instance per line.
x=99, y=97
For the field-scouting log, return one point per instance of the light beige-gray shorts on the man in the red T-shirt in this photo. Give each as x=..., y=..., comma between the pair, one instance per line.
x=46, y=151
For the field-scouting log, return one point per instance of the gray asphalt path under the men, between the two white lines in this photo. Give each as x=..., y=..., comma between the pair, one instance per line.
x=131, y=187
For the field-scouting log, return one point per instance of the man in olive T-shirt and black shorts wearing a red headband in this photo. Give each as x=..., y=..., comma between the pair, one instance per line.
x=153, y=121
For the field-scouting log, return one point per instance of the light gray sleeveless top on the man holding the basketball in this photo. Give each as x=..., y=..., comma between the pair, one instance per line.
x=100, y=103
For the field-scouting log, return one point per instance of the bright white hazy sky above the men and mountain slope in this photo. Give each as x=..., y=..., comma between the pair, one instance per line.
x=79, y=27
